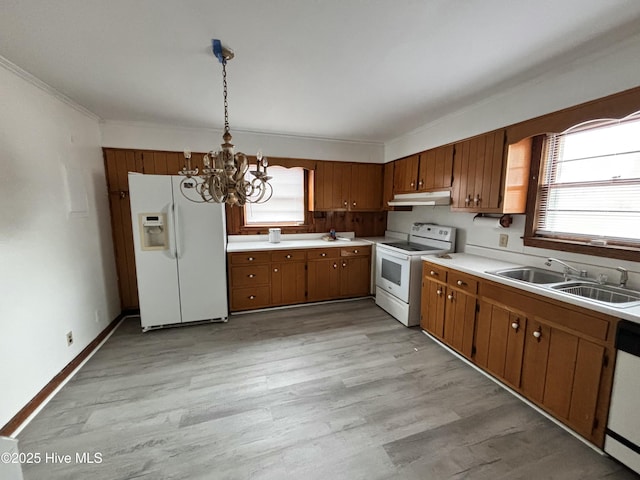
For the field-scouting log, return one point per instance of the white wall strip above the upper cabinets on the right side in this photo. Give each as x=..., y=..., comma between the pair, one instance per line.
x=595, y=76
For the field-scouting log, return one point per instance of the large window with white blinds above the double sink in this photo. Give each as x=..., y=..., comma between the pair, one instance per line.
x=590, y=184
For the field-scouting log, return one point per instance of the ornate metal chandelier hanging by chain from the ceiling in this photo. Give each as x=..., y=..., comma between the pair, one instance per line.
x=224, y=176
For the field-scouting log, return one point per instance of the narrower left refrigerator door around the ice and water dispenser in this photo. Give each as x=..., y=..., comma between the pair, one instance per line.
x=157, y=270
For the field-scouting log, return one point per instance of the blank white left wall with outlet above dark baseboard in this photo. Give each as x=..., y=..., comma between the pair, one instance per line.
x=57, y=272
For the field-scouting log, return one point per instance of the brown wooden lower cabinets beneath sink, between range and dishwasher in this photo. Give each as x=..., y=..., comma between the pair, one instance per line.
x=557, y=355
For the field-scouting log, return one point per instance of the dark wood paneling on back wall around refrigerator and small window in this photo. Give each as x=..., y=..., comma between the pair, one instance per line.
x=119, y=162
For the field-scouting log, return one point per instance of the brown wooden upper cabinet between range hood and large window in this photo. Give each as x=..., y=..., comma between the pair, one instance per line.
x=489, y=177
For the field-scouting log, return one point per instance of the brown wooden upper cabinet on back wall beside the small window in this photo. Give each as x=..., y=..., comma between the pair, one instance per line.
x=343, y=186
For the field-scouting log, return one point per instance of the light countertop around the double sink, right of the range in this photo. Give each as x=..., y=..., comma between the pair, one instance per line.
x=478, y=266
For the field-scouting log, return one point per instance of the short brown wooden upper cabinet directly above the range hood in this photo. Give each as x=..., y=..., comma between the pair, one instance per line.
x=429, y=170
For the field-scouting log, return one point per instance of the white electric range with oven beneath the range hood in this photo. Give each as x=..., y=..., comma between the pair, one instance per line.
x=399, y=269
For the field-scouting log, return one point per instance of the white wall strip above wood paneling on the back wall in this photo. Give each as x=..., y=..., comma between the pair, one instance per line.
x=157, y=137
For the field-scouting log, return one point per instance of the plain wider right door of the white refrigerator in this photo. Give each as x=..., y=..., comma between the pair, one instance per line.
x=200, y=244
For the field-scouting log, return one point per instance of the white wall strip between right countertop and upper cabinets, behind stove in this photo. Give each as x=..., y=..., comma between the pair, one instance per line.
x=481, y=240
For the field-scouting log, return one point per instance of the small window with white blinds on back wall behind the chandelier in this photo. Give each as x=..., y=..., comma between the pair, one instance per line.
x=286, y=206
